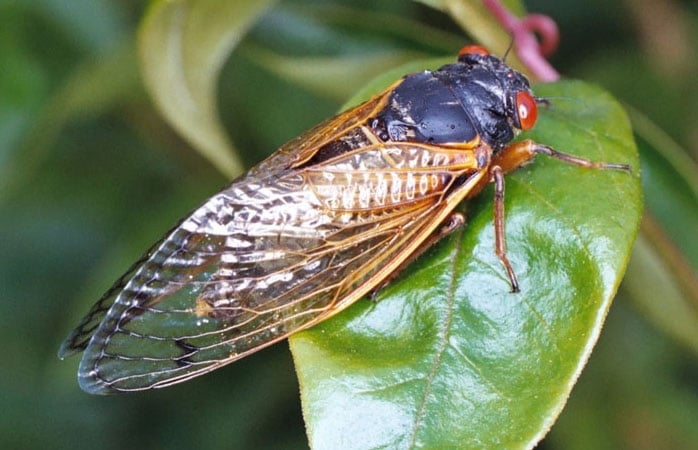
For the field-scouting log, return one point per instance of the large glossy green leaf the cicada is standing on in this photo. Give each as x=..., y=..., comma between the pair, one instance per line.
x=447, y=356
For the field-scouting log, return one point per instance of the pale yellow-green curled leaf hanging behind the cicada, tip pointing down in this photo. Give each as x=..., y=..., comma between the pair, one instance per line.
x=183, y=45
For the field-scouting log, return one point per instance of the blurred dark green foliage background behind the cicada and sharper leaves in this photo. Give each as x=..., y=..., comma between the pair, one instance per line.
x=90, y=175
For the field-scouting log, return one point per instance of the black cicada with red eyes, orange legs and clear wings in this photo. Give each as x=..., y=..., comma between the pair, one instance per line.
x=328, y=218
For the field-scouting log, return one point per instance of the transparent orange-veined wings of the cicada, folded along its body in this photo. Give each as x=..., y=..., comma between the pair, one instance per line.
x=276, y=252
